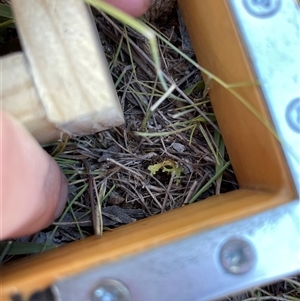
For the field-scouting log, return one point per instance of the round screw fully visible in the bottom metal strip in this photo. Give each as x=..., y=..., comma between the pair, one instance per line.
x=237, y=256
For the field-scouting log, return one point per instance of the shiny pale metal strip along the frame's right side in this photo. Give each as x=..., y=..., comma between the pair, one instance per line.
x=271, y=33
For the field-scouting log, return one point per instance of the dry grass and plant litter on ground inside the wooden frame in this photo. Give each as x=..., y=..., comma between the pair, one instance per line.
x=185, y=148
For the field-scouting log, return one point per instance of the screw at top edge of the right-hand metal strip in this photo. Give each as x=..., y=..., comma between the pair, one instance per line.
x=262, y=8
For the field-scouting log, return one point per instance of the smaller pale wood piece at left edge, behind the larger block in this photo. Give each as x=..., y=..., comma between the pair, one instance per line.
x=19, y=97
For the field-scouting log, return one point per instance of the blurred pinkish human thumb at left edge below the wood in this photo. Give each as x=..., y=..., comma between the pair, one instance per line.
x=33, y=190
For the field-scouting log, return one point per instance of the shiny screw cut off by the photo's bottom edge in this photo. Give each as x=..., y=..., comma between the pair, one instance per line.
x=111, y=290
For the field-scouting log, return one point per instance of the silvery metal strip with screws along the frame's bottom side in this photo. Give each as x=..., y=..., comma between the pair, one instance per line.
x=198, y=268
